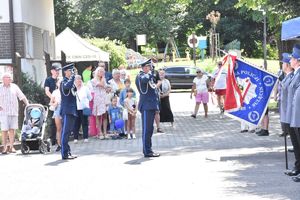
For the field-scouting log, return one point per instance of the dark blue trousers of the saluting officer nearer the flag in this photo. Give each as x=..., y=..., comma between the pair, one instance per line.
x=147, y=129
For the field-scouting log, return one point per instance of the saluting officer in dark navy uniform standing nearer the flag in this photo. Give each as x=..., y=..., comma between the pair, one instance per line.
x=148, y=105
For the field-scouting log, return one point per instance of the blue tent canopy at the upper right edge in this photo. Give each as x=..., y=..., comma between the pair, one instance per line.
x=290, y=29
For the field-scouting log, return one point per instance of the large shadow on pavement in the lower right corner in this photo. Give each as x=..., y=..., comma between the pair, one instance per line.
x=260, y=174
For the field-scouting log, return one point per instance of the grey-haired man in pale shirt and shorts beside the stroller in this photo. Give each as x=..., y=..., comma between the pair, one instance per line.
x=9, y=111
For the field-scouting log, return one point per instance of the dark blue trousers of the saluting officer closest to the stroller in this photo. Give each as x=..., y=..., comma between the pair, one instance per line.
x=68, y=121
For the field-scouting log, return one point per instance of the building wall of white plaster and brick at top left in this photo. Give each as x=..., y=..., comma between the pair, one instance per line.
x=34, y=34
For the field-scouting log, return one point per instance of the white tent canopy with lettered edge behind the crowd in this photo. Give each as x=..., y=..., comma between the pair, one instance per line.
x=77, y=49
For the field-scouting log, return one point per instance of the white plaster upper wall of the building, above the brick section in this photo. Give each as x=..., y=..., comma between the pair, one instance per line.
x=39, y=13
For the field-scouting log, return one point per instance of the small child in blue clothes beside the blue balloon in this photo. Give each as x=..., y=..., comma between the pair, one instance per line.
x=114, y=113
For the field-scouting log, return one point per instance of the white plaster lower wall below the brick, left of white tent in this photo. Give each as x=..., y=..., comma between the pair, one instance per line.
x=35, y=68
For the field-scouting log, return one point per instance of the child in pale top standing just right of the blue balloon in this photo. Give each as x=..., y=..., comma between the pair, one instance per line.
x=130, y=106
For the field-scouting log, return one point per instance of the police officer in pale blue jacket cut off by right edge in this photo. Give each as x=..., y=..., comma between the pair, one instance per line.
x=295, y=114
